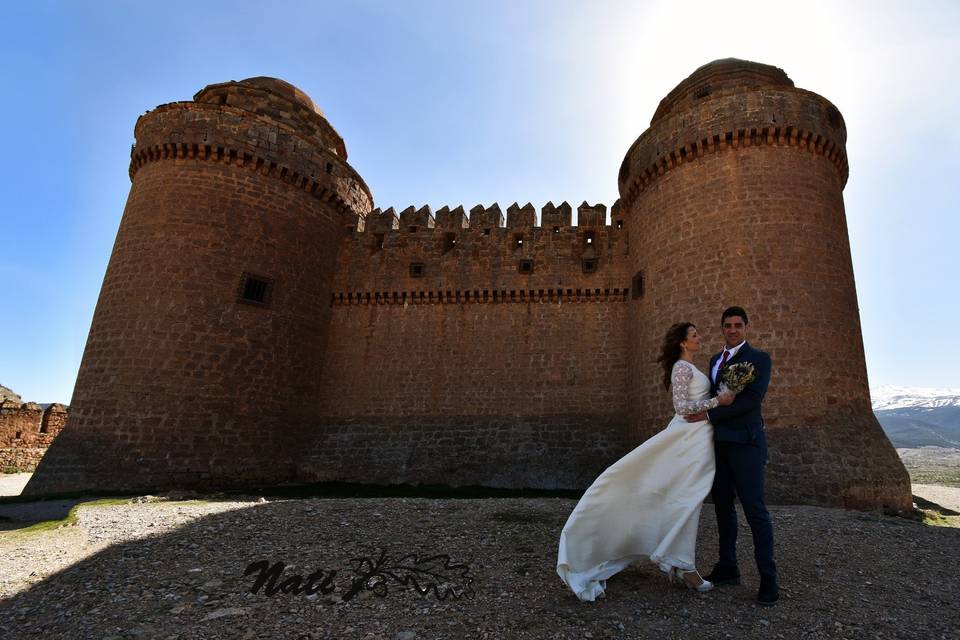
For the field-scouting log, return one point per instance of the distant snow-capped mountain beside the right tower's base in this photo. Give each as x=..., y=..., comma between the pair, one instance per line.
x=918, y=417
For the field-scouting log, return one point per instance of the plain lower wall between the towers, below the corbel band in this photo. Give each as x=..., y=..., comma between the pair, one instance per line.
x=521, y=393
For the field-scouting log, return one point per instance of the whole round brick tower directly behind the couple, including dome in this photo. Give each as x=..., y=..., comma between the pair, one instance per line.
x=734, y=196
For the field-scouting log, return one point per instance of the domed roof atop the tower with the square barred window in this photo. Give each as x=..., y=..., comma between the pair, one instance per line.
x=278, y=100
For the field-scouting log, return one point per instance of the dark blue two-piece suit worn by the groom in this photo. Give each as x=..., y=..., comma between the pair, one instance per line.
x=740, y=443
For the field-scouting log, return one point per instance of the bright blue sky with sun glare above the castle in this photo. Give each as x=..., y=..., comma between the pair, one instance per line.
x=465, y=103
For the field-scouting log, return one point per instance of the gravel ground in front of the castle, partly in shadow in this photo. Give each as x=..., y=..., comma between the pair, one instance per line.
x=176, y=570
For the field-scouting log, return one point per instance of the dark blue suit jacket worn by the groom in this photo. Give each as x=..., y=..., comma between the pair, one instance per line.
x=742, y=421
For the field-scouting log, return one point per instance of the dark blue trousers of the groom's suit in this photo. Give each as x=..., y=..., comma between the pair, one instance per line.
x=740, y=473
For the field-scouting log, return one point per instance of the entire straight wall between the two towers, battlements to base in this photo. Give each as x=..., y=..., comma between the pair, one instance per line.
x=475, y=371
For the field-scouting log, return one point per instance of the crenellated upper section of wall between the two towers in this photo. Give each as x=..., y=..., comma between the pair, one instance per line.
x=387, y=254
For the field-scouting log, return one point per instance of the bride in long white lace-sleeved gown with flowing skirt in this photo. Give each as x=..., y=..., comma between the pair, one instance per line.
x=647, y=504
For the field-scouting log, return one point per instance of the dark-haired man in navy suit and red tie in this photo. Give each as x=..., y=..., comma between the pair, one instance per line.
x=740, y=444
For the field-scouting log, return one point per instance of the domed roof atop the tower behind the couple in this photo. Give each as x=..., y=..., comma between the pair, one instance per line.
x=720, y=75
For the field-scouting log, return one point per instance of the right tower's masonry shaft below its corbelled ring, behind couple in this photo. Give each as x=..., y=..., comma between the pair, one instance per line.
x=792, y=274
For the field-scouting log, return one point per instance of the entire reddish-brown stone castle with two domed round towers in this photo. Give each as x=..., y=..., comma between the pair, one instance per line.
x=261, y=322
